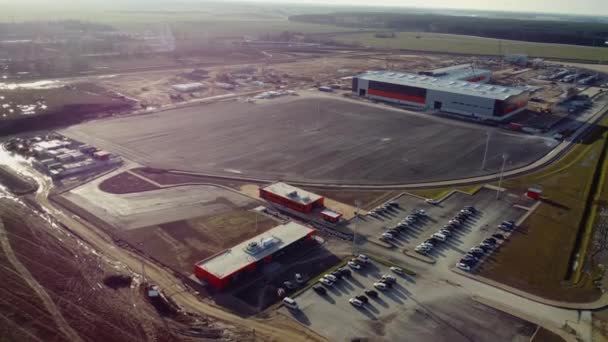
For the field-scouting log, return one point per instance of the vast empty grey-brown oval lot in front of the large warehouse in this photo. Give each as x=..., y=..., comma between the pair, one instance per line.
x=344, y=141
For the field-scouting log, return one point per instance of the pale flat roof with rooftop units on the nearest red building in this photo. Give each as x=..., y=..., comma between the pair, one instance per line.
x=254, y=249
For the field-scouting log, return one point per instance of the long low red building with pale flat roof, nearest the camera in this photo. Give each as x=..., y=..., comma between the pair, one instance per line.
x=248, y=256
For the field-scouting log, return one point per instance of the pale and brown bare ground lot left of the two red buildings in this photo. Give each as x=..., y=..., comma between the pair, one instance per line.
x=176, y=226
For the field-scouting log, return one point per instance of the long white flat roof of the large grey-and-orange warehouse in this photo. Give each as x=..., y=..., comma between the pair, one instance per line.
x=489, y=91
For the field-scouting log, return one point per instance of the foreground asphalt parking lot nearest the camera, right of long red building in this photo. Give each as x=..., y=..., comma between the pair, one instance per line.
x=417, y=308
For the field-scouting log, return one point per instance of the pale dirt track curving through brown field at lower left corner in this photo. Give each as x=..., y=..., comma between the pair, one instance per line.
x=63, y=325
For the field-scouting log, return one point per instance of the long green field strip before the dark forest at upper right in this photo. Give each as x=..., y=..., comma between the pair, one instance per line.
x=437, y=42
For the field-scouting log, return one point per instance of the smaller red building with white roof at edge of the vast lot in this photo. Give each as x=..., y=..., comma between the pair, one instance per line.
x=291, y=197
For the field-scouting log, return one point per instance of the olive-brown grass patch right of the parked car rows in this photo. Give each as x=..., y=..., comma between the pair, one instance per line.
x=537, y=257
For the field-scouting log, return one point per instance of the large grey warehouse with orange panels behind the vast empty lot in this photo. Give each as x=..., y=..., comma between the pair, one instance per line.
x=445, y=94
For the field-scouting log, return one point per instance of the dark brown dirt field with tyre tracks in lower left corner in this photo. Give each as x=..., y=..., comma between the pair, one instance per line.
x=53, y=289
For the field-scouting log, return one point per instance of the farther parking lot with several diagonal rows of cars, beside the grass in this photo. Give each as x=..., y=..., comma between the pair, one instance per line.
x=480, y=225
